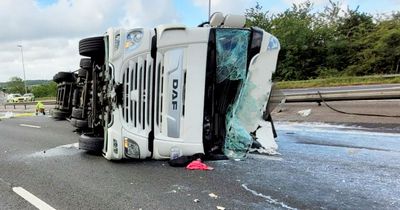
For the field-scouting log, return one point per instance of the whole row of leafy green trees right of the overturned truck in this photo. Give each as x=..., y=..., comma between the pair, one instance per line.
x=333, y=42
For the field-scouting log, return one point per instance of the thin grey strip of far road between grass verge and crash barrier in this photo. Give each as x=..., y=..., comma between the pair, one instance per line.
x=381, y=87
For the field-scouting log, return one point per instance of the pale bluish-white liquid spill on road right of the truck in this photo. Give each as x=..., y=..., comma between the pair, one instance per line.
x=353, y=137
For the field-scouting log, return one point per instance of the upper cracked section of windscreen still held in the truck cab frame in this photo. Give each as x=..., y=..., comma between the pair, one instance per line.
x=232, y=45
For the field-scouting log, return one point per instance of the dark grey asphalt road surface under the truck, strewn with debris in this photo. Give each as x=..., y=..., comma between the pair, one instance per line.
x=320, y=167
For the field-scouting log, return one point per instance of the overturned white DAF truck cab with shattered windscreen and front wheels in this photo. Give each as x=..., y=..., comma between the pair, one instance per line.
x=150, y=92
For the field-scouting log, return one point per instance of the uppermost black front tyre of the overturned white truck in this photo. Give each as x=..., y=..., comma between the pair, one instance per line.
x=92, y=47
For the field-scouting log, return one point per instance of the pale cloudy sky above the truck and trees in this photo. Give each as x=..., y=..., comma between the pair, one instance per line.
x=49, y=30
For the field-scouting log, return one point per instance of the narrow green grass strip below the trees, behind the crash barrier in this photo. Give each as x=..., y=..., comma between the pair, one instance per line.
x=339, y=81
